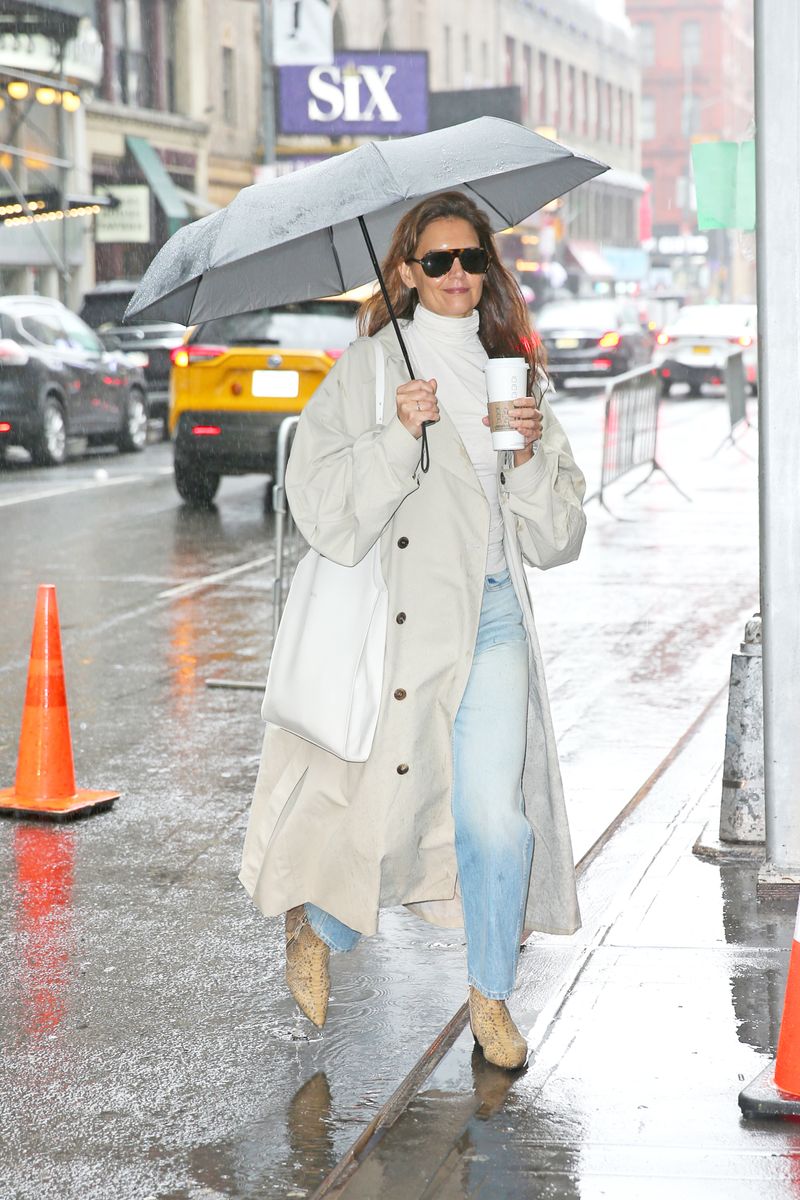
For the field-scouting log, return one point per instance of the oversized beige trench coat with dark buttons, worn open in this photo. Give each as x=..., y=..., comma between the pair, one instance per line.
x=354, y=838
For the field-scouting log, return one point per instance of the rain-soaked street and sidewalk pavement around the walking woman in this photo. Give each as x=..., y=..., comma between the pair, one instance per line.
x=149, y=1047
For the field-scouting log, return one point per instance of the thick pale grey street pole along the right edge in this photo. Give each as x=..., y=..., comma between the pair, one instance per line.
x=778, y=191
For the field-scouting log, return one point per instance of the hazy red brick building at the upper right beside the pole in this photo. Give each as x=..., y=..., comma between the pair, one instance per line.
x=697, y=85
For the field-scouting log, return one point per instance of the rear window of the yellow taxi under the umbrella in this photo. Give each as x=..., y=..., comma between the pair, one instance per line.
x=312, y=325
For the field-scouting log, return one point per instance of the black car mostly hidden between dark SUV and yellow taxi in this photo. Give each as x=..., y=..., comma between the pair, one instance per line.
x=104, y=309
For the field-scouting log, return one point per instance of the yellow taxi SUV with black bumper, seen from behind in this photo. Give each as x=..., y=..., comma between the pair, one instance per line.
x=234, y=381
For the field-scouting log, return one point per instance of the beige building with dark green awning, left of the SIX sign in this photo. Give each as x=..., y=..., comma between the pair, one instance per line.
x=173, y=131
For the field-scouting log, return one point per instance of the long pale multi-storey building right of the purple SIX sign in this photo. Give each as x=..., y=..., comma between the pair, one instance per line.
x=578, y=75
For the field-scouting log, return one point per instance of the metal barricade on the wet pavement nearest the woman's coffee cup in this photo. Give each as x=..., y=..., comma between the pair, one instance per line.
x=631, y=430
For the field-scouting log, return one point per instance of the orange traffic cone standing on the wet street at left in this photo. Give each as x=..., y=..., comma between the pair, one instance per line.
x=46, y=781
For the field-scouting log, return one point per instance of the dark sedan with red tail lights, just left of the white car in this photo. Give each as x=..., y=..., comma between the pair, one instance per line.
x=592, y=339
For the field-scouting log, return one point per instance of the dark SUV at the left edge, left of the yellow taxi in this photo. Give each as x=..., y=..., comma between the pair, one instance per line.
x=58, y=381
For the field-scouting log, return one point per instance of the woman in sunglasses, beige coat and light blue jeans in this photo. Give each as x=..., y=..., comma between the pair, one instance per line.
x=464, y=781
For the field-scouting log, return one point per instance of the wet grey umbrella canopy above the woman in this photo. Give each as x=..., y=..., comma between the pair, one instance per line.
x=299, y=238
